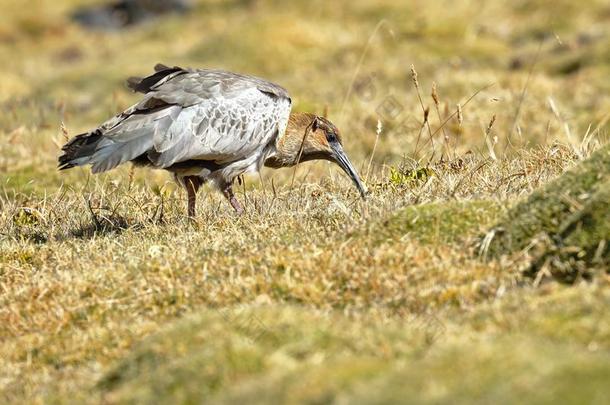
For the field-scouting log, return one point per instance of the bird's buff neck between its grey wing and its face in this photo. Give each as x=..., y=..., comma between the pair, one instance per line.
x=292, y=146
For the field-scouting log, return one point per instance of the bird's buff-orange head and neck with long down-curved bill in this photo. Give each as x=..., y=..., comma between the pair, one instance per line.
x=311, y=137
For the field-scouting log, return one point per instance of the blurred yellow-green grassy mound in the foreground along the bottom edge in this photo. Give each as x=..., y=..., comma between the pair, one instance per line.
x=260, y=354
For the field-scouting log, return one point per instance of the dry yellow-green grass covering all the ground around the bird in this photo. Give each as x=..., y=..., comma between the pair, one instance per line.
x=109, y=294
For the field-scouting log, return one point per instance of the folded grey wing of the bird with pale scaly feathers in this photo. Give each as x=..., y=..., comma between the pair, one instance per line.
x=194, y=114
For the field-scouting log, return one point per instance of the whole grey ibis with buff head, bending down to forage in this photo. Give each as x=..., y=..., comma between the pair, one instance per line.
x=208, y=125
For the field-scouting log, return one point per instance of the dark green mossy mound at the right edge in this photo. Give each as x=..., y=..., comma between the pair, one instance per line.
x=566, y=224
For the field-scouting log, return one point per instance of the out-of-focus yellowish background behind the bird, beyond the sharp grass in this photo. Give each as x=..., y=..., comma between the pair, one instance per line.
x=538, y=69
